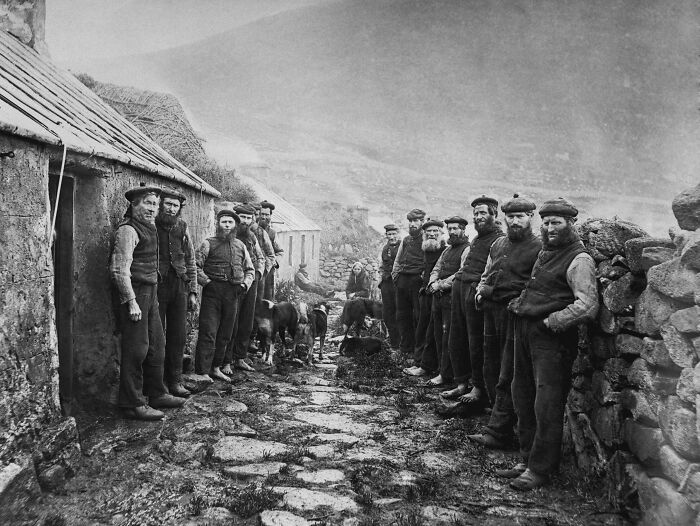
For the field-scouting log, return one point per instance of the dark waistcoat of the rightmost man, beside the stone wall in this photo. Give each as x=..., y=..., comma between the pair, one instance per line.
x=548, y=290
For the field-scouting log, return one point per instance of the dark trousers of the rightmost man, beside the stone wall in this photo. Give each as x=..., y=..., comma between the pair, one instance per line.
x=541, y=382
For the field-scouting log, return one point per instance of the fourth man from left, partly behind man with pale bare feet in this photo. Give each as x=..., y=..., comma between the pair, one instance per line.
x=237, y=349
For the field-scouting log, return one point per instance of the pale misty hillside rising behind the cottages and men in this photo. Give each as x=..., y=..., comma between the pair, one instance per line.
x=395, y=102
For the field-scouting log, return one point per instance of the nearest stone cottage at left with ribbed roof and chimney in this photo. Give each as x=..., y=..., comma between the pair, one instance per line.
x=66, y=159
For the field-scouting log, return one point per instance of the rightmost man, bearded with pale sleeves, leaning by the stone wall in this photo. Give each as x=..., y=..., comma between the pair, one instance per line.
x=560, y=294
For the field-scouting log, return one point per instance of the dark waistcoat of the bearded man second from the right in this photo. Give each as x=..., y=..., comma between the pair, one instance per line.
x=512, y=264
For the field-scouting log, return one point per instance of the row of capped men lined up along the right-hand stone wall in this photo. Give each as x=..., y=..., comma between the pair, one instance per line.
x=495, y=318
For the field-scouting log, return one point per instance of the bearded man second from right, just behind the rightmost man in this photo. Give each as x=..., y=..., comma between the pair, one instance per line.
x=507, y=272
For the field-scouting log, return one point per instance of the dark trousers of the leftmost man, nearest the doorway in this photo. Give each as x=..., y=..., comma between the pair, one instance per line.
x=143, y=350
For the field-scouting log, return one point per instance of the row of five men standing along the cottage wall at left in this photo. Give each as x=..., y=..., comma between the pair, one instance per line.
x=155, y=271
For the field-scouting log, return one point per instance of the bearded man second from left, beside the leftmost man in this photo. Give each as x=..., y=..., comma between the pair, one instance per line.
x=177, y=291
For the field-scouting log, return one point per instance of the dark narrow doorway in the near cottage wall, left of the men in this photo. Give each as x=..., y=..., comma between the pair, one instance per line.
x=62, y=250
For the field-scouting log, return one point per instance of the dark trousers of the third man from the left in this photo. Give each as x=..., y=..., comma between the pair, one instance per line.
x=217, y=316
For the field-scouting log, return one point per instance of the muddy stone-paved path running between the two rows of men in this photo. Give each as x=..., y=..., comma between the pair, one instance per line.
x=347, y=442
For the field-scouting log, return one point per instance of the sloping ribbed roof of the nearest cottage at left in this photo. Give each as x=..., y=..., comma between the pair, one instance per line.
x=41, y=102
